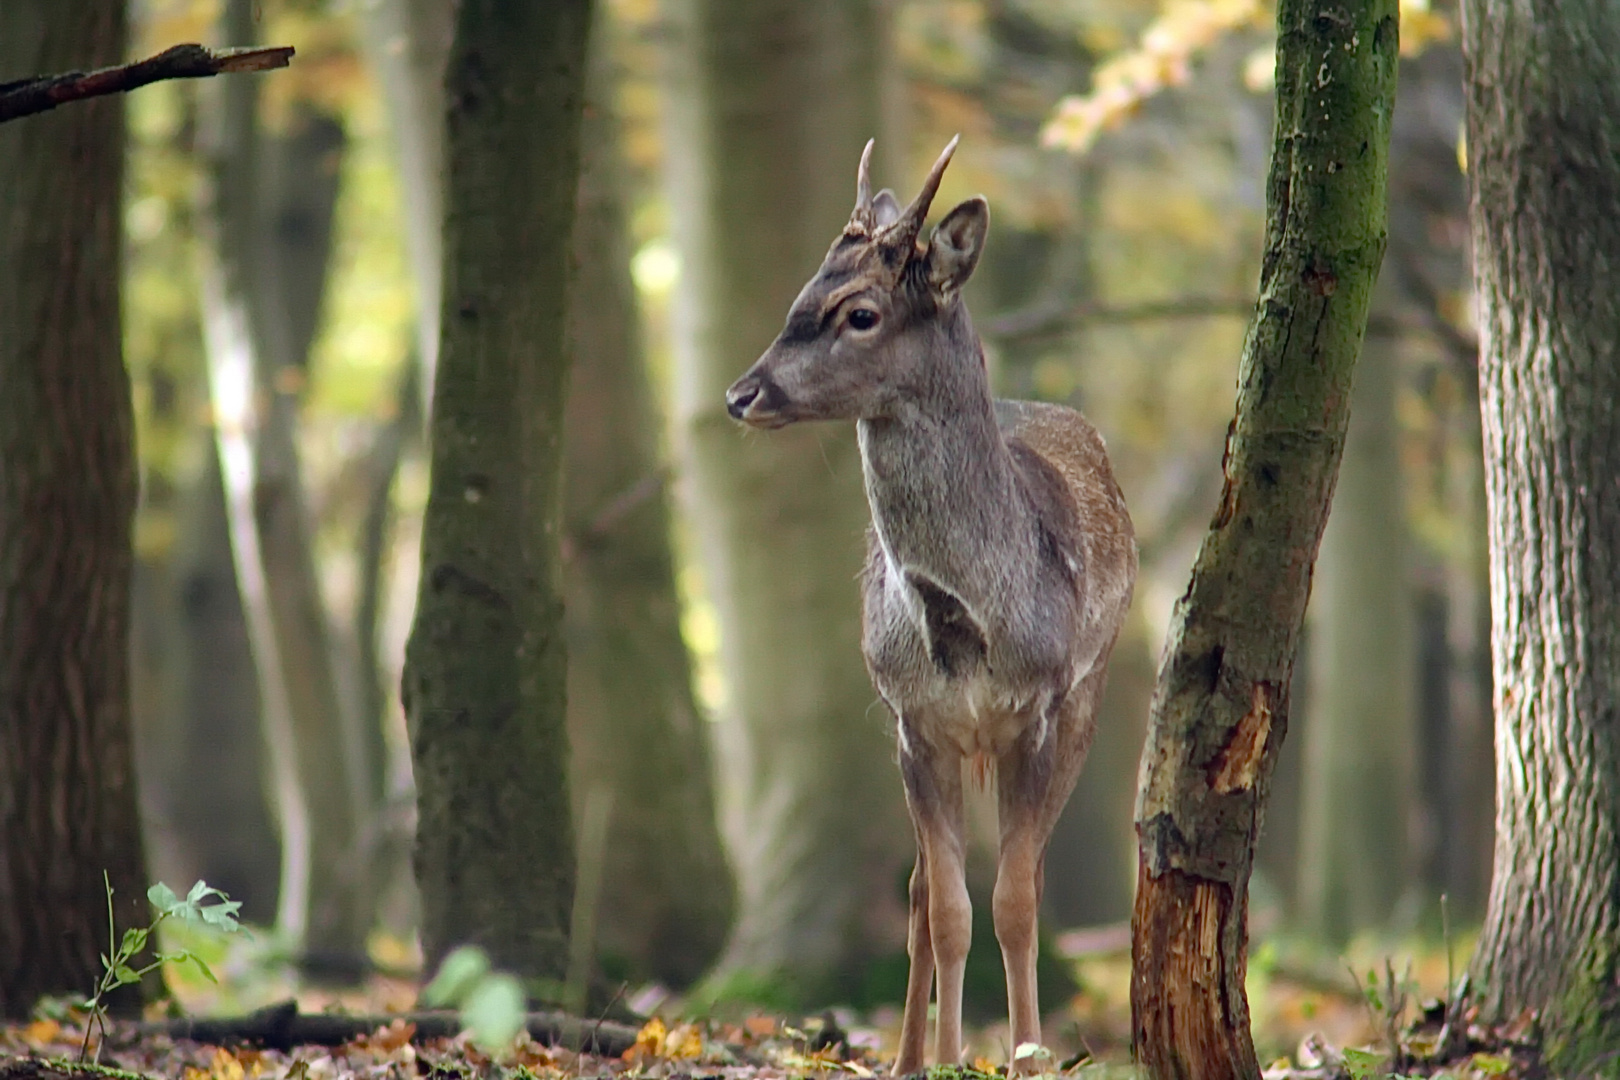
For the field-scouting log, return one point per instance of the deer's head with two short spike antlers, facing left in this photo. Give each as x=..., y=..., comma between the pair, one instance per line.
x=868, y=333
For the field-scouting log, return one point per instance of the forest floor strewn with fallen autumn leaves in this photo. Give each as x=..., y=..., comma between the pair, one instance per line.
x=1310, y=1023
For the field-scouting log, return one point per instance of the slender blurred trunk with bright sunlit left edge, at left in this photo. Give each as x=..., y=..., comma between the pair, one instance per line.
x=271, y=244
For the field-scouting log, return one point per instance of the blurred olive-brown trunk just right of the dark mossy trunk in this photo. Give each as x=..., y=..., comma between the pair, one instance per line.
x=633, y=723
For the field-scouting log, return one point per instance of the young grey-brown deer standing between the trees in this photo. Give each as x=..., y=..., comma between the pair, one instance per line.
x=1000, y=566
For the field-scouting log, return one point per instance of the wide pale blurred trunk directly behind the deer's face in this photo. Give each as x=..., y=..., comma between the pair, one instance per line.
x=770, y=104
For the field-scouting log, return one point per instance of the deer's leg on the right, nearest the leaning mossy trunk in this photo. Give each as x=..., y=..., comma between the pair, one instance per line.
x=1034, y=783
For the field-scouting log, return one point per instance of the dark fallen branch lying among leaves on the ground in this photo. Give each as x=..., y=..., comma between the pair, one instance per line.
x=283, y=1027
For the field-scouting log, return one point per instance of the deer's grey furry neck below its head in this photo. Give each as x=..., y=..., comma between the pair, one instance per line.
x=942, y=485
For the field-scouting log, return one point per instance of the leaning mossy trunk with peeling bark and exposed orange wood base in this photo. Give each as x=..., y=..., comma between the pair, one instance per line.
x=1222, y=704
